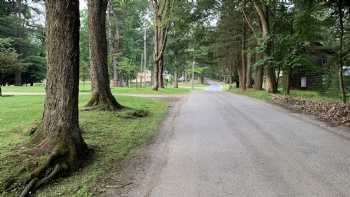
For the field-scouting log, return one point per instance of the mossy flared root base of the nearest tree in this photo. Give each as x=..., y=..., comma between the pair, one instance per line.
x=42, y=161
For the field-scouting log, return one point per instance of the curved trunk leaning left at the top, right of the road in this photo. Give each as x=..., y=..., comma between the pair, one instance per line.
x=263, y=13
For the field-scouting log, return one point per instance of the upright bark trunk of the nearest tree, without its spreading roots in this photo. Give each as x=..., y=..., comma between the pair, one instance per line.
x=61, y=114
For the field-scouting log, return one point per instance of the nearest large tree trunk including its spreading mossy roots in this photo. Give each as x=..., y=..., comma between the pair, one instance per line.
x=59, y=136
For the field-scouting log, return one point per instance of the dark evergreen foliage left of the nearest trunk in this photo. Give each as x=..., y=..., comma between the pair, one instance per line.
x=22, y=42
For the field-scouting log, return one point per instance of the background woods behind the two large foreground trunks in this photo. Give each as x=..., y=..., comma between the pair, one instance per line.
x=244, y=41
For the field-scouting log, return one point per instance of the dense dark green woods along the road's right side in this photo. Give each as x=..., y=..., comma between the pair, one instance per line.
x=285, y=44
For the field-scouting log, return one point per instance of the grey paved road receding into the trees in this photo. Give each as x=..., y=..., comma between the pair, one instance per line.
x=219, y=145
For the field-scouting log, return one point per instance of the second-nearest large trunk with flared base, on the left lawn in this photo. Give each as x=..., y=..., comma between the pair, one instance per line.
x=102, y=97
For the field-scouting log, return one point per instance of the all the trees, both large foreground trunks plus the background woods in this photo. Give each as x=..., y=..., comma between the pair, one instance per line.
x=272, y=45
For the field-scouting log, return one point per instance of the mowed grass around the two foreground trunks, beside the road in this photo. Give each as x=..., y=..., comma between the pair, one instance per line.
x=111, y=135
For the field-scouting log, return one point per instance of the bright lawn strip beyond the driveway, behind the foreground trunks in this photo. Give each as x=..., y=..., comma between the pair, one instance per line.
x=85, y=88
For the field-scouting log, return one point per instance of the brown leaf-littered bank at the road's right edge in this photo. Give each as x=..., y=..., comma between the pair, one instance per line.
x=335, y=113
